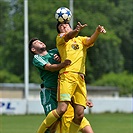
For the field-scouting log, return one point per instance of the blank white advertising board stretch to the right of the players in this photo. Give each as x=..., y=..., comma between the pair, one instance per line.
x=123, y=105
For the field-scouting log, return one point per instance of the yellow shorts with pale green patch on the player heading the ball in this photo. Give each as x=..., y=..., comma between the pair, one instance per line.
x=72, y=86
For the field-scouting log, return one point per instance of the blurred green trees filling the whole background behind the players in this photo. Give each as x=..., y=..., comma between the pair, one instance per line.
x=111, y=53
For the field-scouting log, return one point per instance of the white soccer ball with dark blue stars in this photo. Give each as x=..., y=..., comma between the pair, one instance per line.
x=63, y=14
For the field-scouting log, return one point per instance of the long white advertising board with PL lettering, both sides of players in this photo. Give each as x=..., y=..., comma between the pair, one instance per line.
x=33, y=106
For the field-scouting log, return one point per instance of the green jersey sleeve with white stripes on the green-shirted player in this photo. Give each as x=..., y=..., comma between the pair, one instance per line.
x=39, y=62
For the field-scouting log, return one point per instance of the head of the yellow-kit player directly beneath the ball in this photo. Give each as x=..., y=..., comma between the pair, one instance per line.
x=63, y=27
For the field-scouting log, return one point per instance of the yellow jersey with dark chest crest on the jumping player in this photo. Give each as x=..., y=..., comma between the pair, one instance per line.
x=75, y=50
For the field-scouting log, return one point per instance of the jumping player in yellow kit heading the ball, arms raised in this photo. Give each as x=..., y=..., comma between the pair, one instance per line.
x=71, y=86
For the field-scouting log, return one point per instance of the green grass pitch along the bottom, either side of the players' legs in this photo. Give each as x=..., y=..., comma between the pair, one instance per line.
x=101, y=123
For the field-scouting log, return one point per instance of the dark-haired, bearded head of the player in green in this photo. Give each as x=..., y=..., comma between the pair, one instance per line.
x=36, y=46
